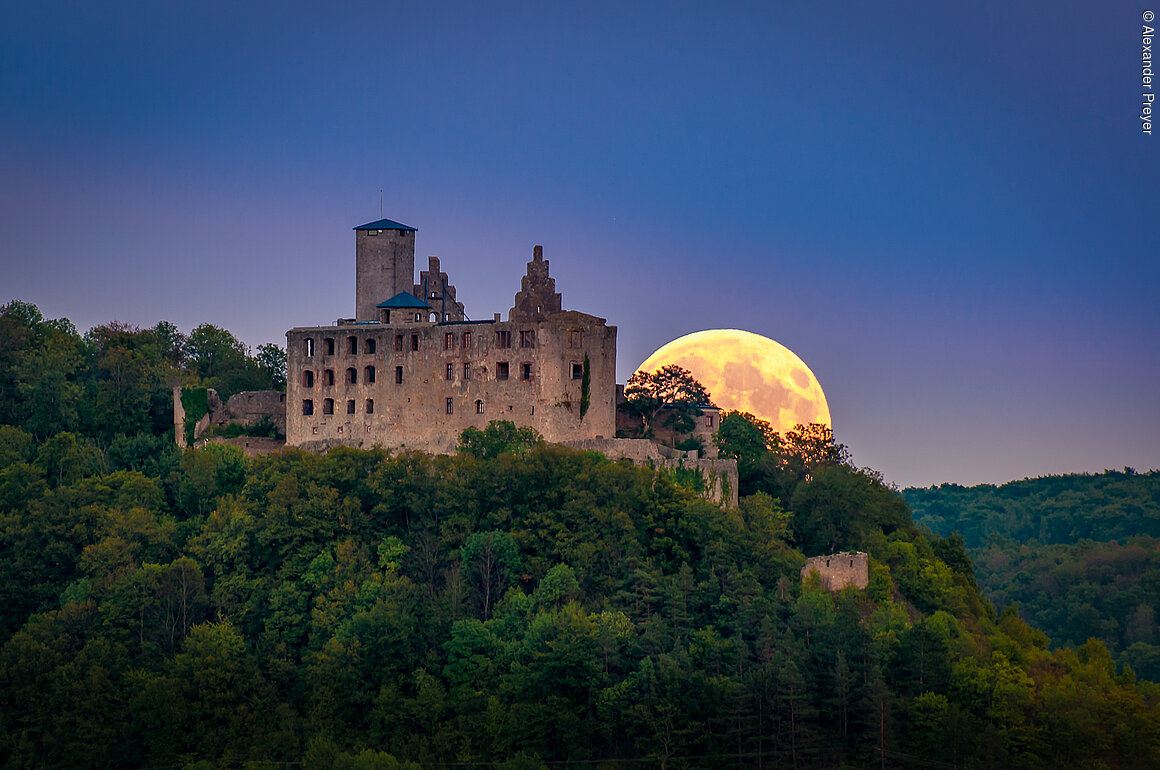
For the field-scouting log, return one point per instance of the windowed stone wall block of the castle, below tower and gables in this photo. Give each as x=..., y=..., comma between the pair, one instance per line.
x=420, y=386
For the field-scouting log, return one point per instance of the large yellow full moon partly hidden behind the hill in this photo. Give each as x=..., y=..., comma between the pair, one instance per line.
x=749, y=373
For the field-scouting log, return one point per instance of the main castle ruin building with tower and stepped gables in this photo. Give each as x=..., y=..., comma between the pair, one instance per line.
x=412, y=372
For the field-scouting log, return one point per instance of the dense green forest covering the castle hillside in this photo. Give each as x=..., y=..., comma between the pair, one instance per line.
x=512, y=606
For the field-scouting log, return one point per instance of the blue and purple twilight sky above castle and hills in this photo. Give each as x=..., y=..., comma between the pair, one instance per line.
x=947, y=210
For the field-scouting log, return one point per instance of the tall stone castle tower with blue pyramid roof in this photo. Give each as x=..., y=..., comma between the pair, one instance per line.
x=385, y=265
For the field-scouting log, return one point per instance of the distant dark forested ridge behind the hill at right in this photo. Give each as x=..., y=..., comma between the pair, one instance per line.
x=1079, y=555
